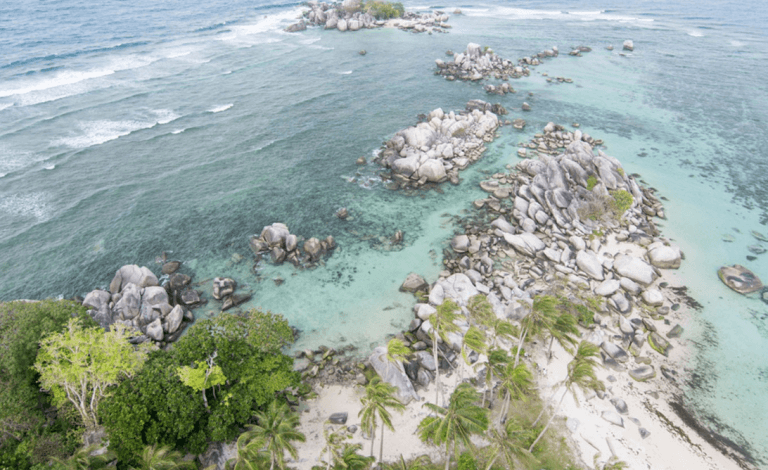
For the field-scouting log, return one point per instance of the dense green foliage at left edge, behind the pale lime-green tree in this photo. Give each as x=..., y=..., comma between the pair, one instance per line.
x=31, y=429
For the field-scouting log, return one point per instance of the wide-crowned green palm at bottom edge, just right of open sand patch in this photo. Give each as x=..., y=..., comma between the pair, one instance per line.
x=455, y=424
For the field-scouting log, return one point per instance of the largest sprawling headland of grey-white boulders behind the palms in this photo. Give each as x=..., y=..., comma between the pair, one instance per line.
x=536, y=241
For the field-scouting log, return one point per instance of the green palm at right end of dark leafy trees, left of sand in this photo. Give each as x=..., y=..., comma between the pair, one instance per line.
x=277, y=428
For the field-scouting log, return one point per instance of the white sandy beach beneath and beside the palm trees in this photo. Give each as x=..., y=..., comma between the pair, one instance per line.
x=670, y=445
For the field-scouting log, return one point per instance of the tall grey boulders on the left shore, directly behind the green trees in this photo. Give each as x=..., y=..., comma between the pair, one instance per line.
x=135, y=299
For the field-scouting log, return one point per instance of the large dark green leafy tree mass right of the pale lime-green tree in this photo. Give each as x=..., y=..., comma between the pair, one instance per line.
x=156, y=407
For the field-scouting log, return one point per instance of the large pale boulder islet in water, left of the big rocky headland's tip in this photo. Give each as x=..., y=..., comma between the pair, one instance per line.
x=435, y=151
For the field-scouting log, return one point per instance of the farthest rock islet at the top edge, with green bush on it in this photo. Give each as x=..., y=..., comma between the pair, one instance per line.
x=349, y=16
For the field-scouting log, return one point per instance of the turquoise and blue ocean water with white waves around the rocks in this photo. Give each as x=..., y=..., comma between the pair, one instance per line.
x=132, y=129
